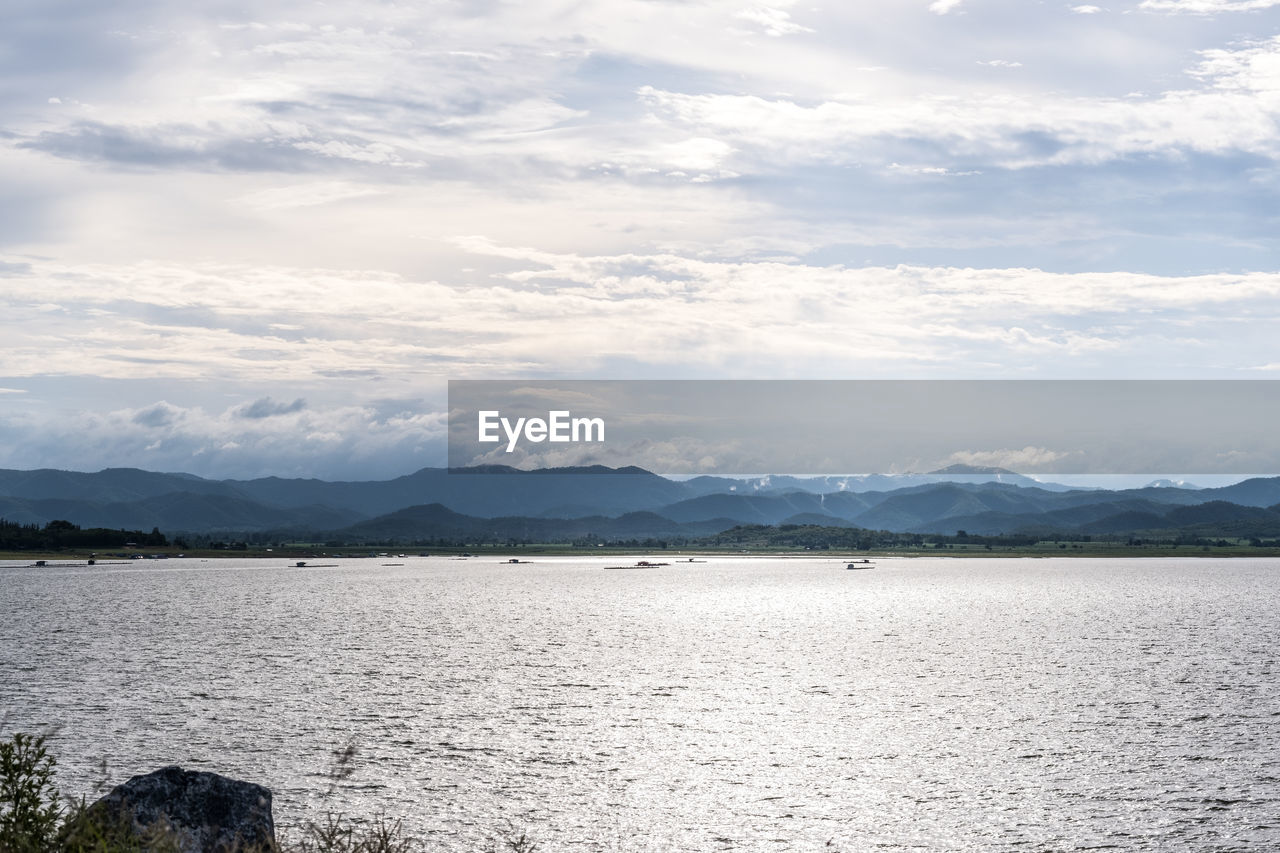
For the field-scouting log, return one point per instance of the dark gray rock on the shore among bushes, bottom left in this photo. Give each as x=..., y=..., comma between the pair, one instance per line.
x=196, y=813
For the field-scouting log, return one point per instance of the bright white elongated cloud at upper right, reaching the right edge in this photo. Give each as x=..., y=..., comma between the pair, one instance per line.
x=1233, y=111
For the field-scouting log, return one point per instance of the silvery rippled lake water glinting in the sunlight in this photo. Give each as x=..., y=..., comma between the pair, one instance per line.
x=749, y=705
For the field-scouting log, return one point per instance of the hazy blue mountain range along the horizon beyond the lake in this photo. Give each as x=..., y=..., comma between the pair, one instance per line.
x=568, y=504
